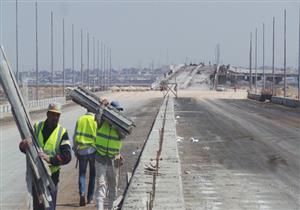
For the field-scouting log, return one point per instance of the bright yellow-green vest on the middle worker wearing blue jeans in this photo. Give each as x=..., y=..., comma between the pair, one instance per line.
x=85, y=131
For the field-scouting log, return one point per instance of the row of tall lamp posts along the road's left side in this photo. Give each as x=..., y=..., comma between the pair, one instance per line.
x=105, y=69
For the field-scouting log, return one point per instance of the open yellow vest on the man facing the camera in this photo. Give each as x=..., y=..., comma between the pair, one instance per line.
x=52, y=145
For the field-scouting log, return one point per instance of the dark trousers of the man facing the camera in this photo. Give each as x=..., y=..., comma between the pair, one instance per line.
x=37, y=205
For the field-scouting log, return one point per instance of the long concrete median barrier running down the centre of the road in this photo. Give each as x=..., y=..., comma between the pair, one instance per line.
x=168, y=193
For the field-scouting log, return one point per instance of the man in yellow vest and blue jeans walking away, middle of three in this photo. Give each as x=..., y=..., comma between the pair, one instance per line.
x=84, y=148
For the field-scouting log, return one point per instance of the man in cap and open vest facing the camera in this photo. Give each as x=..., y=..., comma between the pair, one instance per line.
x=56, y=149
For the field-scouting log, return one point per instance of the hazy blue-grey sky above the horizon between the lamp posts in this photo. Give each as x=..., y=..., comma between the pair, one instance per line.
x=139, y=32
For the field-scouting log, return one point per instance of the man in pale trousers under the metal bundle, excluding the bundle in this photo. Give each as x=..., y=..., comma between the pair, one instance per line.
x=108, y=160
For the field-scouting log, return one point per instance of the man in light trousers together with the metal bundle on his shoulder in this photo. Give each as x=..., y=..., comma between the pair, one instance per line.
x=112, y=127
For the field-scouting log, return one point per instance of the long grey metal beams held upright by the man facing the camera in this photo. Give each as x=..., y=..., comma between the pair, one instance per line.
x=38, y=172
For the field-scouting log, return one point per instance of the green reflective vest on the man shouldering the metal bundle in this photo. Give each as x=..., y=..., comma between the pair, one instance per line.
x=108, y=142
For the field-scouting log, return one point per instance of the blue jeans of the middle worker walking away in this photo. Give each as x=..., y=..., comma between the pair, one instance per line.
x=84, y=160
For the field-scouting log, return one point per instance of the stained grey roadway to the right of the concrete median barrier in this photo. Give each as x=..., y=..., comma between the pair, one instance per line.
x=238, y=154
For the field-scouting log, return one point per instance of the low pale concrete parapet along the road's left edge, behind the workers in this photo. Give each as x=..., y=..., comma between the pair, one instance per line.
x=34, y=105
